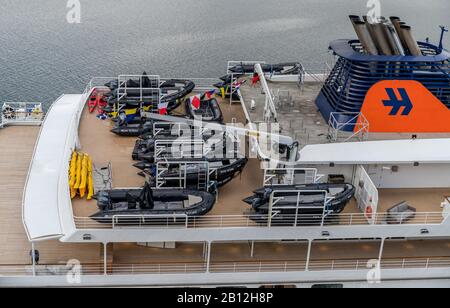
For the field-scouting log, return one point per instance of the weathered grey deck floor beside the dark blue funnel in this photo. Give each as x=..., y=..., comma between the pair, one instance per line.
x=300, y=118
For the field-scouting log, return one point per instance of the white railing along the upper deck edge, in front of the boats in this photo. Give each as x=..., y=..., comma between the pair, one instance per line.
x=245, y=221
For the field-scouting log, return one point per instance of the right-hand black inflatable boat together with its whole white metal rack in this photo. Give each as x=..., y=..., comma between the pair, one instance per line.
x=289, y=202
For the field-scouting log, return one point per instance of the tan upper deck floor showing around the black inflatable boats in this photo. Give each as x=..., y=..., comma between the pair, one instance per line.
x=105, y=147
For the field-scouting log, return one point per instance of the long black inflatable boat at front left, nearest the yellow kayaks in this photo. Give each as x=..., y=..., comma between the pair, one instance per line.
x=148, y=201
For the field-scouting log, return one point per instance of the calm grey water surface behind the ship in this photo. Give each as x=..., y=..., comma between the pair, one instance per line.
x=43, y=56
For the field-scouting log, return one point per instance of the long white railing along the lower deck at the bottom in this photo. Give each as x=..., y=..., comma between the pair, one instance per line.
x=226, y=267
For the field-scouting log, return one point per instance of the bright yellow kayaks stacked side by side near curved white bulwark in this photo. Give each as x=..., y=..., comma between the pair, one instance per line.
x=80, y=176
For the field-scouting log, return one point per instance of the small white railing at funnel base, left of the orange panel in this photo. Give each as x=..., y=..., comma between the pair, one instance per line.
x=358, y=121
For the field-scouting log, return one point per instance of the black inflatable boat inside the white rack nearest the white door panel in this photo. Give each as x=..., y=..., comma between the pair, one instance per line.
x=310, y=202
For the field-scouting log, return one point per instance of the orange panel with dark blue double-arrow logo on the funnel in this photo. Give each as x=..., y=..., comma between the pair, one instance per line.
x=404, y=106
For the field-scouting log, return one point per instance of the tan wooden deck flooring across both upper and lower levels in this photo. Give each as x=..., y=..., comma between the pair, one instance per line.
x=16, y=151
